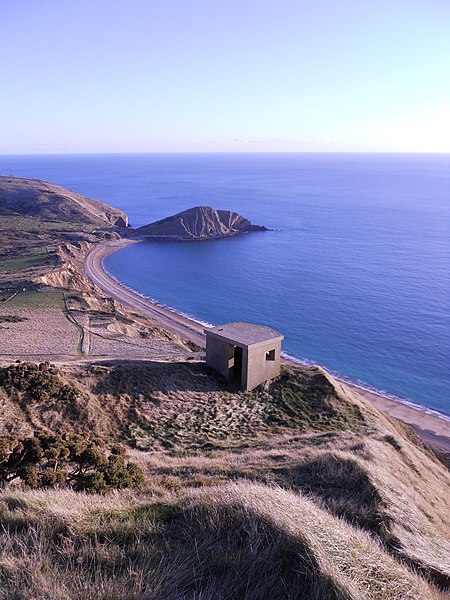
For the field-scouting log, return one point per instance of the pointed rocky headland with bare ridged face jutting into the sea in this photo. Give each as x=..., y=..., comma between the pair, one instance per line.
x=199, y=223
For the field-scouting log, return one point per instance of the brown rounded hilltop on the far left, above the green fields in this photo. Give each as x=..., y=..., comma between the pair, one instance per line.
x=36, y=198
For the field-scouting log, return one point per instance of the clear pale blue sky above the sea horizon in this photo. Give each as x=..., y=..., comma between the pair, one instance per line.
x=94, y=76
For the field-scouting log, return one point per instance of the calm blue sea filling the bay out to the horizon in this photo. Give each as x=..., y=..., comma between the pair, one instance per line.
x=355, y=272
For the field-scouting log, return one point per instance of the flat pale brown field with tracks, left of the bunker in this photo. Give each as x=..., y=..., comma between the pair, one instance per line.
x=77, y=332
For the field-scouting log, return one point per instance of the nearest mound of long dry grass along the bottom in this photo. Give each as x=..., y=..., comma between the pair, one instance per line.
x=242, y=540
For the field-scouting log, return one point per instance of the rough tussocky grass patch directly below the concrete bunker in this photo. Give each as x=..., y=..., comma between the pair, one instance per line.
x=185, y=405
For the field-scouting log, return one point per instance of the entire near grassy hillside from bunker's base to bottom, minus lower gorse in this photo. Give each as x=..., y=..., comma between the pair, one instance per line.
x=298, y=489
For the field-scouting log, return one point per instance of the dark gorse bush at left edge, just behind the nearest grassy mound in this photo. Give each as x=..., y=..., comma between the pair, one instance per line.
x=53, y=461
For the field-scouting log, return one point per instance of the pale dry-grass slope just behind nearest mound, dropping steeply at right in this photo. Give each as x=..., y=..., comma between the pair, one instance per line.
x=362, y=480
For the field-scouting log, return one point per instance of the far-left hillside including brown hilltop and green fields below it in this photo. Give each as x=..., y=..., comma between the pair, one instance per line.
x=36, y=217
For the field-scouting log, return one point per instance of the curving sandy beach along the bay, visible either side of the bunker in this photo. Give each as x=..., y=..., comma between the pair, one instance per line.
x=431, y=428
